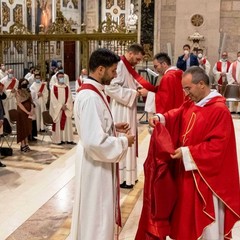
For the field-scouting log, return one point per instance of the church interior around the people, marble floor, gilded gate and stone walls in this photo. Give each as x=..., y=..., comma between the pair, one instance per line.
x=37, y=188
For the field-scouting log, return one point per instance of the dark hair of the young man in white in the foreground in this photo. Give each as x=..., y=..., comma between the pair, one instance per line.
x=102, y=57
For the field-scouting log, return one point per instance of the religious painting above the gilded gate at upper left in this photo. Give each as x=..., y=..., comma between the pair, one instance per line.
x=43, y=15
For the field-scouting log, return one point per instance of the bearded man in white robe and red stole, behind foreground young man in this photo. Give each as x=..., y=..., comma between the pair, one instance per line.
x=124, y=90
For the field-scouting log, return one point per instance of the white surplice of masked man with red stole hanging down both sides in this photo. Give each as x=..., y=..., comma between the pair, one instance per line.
x=55, y=111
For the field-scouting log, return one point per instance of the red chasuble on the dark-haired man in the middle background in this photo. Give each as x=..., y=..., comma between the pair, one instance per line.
x=169, y=93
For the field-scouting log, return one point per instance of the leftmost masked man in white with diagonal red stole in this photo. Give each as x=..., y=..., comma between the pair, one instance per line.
x=10, y=86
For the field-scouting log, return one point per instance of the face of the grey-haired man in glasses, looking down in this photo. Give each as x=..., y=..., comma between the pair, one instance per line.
x=195, y=91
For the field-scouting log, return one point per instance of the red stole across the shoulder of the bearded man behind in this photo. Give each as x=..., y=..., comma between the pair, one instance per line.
x=140, y=79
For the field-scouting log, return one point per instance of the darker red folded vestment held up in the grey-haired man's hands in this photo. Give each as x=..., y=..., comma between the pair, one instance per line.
x=159, y=188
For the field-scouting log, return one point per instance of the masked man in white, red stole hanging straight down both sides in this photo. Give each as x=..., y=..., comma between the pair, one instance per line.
x=61, y=111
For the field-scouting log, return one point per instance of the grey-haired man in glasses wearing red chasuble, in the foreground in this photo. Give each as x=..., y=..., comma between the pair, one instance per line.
x=206, y=169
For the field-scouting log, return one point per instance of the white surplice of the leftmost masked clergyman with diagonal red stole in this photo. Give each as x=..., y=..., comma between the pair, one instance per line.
x=10, y=102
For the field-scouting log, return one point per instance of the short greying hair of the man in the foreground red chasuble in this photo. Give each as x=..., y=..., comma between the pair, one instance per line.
x=198, y=74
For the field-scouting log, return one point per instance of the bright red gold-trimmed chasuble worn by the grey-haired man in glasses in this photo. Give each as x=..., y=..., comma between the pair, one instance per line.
x=209, y=133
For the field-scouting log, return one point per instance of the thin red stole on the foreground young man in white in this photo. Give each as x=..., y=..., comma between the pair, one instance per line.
x=117, y=208
